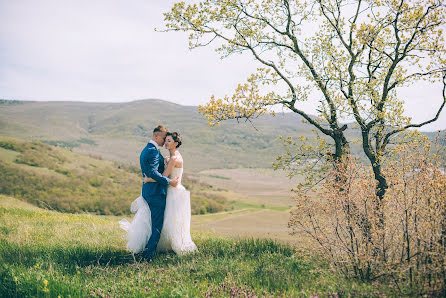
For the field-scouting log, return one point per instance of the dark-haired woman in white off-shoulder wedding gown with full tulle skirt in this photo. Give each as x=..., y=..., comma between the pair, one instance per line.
x=175, y=234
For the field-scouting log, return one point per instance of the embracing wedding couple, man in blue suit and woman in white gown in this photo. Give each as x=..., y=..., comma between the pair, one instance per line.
x=162, y=212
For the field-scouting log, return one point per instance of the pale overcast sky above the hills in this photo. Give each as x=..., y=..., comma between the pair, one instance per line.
x=108, y=51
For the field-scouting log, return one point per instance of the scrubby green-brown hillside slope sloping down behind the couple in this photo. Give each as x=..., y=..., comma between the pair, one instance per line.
x=56, y=178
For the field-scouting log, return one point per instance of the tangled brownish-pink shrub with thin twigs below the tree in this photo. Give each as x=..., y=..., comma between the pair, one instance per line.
x=401, y=239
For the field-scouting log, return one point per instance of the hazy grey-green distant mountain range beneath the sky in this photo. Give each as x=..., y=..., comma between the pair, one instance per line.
x=119, y=131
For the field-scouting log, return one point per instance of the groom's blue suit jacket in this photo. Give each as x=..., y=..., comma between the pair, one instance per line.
x=152, y=165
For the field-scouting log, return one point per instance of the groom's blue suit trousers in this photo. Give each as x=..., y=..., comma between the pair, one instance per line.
x=157, y=205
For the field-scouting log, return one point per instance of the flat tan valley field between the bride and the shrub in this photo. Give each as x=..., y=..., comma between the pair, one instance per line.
x=263, y=198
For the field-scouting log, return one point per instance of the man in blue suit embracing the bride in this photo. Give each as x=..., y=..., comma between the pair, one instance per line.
x=152, y=165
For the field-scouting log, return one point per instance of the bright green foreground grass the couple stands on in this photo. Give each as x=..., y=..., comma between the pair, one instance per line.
x=49, y=254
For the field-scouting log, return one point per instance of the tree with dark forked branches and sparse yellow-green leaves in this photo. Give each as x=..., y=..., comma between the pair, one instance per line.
x=352, y=54
